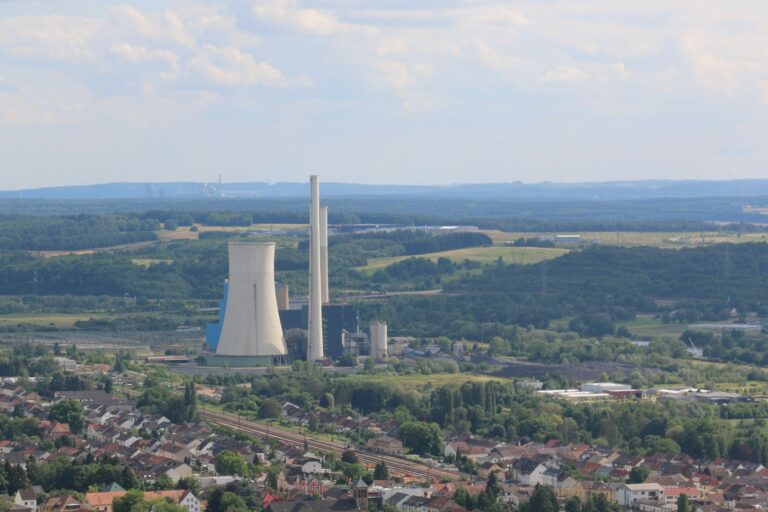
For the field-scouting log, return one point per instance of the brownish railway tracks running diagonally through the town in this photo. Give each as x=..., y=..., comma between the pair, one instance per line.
x=404, y=467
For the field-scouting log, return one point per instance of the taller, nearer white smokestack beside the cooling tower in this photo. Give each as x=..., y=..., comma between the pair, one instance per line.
x=315, y=338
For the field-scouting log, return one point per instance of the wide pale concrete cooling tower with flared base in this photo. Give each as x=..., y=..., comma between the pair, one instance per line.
x=251, y=324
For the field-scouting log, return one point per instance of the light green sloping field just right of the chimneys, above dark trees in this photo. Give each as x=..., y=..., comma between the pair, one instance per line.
x=485, y=255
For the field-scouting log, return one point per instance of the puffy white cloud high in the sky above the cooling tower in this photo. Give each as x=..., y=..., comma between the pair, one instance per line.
x=230, y=66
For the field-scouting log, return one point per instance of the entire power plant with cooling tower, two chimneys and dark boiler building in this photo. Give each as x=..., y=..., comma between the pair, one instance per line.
x=260, y=326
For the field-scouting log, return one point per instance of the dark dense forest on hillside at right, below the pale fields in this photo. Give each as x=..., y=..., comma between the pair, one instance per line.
x=619, y=280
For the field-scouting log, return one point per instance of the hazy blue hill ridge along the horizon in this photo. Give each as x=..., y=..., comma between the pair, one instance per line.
x=616, y=190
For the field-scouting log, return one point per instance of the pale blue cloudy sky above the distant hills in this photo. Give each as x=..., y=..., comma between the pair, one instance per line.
x=382, y=91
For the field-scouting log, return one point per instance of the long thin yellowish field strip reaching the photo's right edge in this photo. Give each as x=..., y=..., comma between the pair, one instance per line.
x=667, y=240
